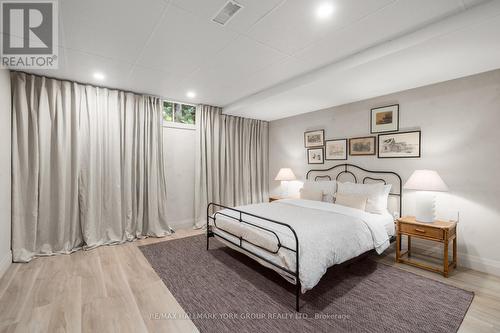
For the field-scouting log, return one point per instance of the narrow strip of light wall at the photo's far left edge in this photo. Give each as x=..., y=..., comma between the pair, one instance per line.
x=5, y=179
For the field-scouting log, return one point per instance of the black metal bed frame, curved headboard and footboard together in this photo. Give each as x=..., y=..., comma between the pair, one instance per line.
x=241, y=214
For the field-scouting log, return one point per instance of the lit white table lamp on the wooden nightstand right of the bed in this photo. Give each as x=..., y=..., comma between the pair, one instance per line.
x=425, y=182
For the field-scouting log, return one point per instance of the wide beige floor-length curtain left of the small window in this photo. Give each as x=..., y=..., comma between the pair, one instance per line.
x=87, y=167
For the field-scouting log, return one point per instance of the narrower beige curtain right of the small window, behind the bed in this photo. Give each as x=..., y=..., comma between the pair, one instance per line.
x=231, y=160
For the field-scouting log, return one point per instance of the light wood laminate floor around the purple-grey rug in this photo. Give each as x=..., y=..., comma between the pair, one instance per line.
x=114, y=289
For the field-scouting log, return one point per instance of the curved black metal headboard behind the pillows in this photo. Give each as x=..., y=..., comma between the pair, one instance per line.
x=357, y=172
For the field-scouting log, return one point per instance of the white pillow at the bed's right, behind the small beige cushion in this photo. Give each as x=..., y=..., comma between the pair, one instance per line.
x=376, y=194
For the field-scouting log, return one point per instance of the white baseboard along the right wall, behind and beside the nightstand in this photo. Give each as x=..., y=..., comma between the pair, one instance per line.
x=465, y=260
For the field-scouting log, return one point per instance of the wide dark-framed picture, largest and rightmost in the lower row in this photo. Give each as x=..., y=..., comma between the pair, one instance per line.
x=399, y=145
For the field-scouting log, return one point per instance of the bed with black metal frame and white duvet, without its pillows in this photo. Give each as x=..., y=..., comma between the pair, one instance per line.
x=300, y=239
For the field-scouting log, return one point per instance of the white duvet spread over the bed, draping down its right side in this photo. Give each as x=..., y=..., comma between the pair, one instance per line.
x=328, y=234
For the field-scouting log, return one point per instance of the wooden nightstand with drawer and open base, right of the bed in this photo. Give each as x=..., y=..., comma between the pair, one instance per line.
x=438, y=231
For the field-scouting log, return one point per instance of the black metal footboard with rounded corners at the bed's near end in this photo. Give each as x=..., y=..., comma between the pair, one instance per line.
x=240, y=219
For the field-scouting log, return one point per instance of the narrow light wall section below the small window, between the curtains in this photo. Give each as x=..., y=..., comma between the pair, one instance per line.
x=179, y=145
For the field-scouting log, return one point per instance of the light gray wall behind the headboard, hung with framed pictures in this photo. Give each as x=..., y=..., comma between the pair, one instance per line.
x=460, y=123
